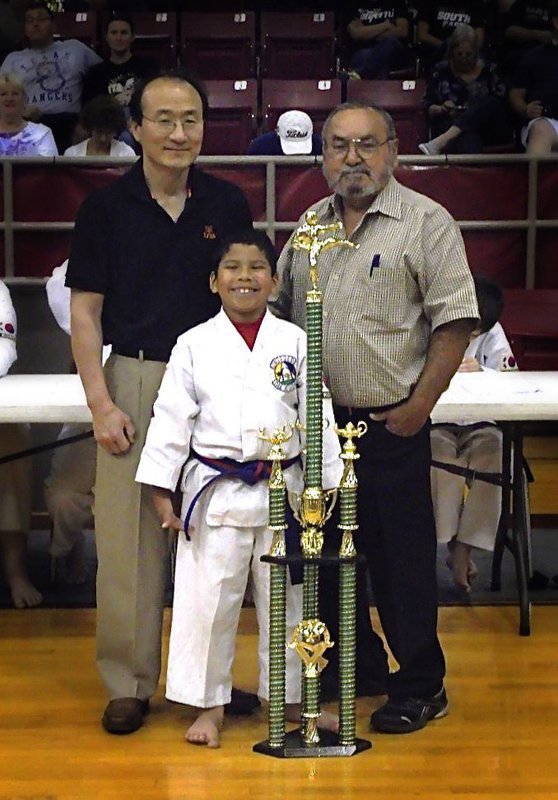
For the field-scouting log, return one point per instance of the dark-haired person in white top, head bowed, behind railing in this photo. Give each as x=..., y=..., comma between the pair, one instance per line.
x=104, y=120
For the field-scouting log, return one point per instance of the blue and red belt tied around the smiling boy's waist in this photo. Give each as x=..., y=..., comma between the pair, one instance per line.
x=249, y=472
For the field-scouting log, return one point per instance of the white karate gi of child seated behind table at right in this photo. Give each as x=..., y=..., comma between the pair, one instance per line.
x=471, y=517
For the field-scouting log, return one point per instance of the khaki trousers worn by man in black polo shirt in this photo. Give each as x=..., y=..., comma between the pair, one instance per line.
x=132, y=549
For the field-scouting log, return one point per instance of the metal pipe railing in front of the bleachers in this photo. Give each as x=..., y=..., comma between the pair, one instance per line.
x=531, y=223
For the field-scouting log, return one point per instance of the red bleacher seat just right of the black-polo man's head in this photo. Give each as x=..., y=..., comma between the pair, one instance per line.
x=231, y=122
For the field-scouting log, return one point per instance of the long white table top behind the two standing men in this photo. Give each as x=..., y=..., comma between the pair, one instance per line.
x=471, y=397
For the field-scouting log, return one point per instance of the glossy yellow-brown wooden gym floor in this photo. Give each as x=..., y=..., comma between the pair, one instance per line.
x=499, y=740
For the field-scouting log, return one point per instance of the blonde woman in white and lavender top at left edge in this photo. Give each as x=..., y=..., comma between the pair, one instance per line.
x=18, y=137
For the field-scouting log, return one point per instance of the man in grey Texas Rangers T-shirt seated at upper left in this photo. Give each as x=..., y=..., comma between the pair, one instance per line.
x=51, y=72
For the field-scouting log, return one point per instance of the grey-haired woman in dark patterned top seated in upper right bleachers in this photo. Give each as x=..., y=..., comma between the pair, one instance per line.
x=465, y=100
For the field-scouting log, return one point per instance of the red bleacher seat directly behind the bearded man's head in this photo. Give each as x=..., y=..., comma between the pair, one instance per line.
x=403, y=101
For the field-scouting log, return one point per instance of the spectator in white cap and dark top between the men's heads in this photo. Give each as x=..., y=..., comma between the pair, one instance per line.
x=294, y=135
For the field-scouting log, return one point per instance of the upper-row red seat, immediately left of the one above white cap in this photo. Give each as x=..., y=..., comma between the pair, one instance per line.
x=219, y=46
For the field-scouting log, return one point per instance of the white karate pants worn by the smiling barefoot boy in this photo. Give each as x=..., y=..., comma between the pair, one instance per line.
x=210, y=579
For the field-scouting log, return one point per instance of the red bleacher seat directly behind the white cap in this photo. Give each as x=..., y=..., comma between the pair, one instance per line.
x=317, y=98
